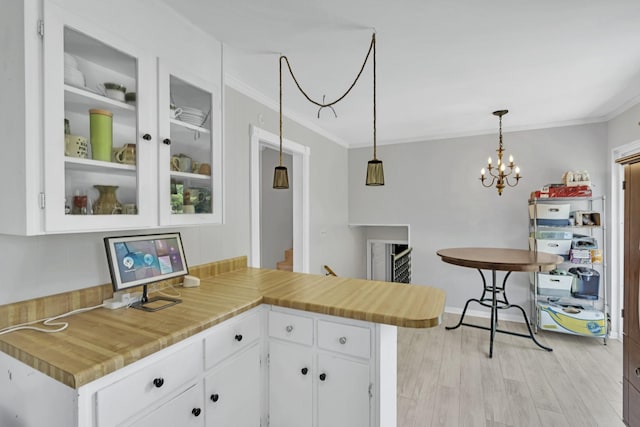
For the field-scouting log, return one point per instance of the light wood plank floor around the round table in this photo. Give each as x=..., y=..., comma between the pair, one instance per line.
x=445, y=378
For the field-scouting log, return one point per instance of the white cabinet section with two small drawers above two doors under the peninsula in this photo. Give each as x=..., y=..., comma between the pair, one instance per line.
x=310, y=386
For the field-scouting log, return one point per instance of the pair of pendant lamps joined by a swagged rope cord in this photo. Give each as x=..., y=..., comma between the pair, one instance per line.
x=375, y=173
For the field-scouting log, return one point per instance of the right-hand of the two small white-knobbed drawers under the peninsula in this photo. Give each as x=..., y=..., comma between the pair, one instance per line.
x=347, y=339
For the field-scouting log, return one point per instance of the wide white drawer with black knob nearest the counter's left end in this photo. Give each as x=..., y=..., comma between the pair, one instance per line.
x=154, y=382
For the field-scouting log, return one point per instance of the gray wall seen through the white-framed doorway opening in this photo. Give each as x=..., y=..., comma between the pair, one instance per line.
x=276, y=211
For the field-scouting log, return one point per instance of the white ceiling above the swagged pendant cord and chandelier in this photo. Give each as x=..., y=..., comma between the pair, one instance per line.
x=442, y=66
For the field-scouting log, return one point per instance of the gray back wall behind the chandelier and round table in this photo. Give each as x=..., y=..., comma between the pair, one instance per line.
x=433, y=187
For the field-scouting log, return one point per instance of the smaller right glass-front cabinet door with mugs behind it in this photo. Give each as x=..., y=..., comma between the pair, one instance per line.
x=189, y=167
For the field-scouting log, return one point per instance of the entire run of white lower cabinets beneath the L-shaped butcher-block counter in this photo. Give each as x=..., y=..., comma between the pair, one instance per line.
x=323, y=371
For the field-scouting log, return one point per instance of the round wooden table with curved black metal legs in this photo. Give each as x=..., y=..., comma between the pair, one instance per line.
x=498, y=259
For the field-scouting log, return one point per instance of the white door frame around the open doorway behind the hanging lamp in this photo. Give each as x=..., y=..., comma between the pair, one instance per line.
x=300, y=187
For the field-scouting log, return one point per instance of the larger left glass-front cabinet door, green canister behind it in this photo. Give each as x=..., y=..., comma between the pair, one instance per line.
x=100, y=140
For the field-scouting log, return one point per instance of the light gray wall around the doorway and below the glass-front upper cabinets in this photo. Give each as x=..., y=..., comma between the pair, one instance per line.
x=45, y=265
